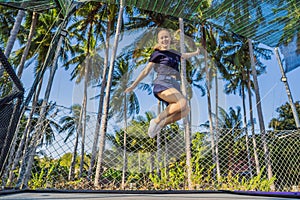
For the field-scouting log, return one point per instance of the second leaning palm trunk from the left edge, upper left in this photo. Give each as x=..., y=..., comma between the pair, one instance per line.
x=27, y=47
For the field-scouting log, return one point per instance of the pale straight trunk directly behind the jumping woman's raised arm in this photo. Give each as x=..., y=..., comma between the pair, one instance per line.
x=186, y=119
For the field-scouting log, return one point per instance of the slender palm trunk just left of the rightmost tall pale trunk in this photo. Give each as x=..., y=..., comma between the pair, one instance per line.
x=257, y=166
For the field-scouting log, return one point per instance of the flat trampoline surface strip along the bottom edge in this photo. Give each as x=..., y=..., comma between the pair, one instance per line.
x=148, y=195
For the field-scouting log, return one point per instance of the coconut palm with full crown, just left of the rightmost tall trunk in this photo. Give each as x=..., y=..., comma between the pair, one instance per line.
x=236, y=58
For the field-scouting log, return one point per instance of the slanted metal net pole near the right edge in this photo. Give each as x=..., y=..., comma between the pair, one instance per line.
x=287, y=88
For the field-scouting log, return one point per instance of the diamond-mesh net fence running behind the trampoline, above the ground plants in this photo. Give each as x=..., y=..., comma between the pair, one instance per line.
x=62, y=157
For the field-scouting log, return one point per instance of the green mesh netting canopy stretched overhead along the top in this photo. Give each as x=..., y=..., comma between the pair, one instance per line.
x=273, y=23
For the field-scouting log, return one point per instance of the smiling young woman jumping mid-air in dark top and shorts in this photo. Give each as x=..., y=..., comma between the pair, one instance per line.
x=166, y=86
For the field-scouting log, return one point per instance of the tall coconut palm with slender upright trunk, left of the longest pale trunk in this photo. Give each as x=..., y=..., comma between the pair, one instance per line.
x=88, y=63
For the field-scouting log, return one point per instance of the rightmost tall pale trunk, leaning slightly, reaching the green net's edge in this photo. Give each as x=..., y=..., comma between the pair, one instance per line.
x=260, y=114
